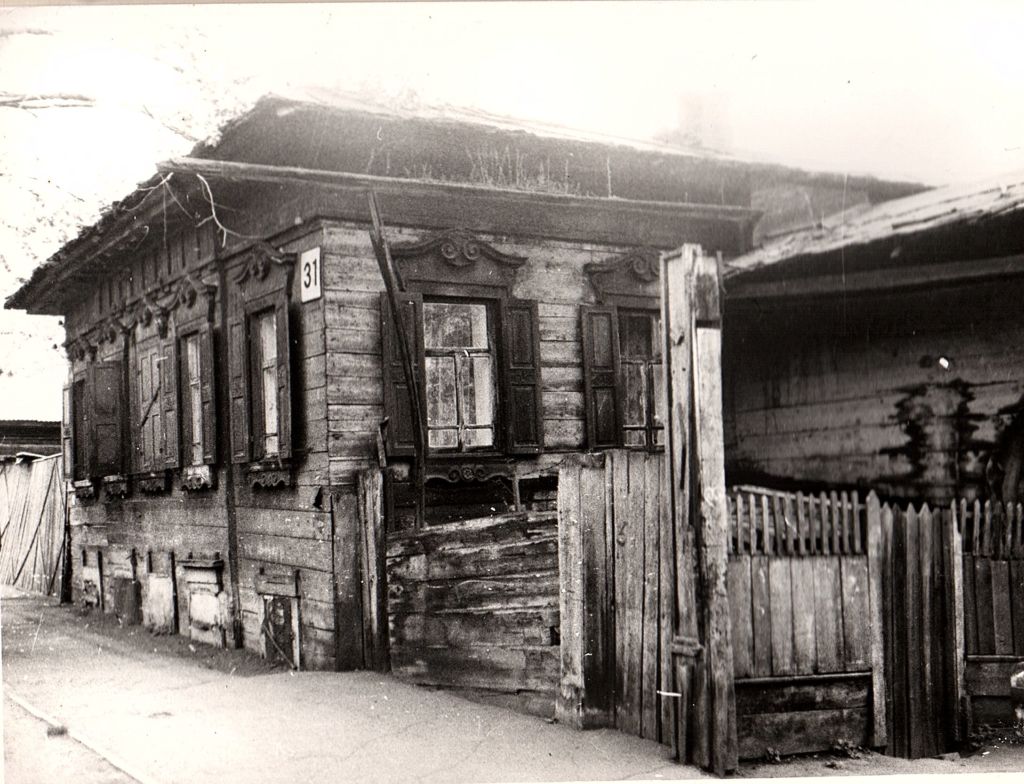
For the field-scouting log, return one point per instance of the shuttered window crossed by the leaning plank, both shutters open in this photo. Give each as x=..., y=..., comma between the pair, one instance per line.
x=478, y=369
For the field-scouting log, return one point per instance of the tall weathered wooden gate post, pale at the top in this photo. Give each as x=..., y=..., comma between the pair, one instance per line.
x=693, y=325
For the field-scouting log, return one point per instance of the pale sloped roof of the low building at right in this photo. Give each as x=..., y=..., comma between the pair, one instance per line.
x=944, y=208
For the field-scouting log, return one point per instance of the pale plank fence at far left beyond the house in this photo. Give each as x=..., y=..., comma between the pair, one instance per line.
x=32, y=515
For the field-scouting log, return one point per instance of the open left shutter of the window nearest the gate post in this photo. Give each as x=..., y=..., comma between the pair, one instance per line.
x=601, y=374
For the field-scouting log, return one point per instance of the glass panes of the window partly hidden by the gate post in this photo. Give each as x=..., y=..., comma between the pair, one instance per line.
x=641, y=361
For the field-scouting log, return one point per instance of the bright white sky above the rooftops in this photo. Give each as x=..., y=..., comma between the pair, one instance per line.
x=926, y=93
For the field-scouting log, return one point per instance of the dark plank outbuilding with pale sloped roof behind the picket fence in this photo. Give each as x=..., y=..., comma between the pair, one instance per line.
x=880, y=351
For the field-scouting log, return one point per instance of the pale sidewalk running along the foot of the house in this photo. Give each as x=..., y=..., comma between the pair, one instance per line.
x=169, y=720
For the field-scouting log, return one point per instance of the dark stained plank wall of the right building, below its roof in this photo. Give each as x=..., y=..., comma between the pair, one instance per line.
x=907, y=394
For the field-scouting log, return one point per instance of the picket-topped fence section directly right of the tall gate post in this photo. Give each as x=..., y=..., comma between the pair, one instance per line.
x=805, y=604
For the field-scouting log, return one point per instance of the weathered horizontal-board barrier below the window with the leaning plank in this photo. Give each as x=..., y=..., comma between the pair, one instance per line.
x=474, y=606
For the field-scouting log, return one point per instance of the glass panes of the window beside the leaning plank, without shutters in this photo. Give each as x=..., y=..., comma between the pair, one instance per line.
x=460, y=376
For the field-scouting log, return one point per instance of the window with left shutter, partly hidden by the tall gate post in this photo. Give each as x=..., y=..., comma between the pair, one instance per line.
x=623, y=378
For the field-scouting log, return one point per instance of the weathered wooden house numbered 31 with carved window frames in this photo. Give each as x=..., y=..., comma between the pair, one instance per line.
x=242, y=411
